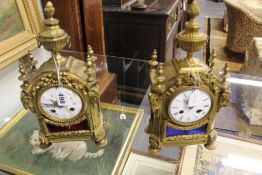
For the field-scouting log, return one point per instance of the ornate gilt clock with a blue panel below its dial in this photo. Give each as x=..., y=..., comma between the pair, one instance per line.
x=186, y=94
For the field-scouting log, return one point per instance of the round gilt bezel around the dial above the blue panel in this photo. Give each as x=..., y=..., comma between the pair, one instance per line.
x=187, y=88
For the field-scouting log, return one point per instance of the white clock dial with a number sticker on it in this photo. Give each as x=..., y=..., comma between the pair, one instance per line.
x=61, y=103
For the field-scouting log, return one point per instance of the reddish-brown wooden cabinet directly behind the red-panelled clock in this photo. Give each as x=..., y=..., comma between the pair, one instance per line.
x=83, y=21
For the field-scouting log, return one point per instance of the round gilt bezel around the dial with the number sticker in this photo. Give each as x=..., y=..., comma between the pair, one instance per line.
x=78, y=117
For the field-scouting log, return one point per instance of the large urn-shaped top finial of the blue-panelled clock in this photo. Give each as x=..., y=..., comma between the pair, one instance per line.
x=190, y=39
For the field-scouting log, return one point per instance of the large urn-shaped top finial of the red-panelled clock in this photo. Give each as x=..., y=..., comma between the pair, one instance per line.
x=53, y=38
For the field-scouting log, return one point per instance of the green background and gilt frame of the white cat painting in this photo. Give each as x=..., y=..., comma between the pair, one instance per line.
x=16, y=152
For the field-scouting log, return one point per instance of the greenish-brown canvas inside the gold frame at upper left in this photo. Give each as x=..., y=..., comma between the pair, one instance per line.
x=10, y=20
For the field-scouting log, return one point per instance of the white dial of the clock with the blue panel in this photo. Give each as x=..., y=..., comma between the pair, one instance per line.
x=190, y=106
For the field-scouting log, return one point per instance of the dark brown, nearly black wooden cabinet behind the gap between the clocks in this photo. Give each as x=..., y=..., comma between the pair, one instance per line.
x=136, y=33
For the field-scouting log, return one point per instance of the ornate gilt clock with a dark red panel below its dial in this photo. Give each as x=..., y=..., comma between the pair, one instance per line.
x=63, y=91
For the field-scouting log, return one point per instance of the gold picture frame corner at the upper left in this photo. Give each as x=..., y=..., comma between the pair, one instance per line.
x=18, y=45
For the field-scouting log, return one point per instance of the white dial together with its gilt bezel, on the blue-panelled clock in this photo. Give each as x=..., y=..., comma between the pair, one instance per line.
x=194, y=113
